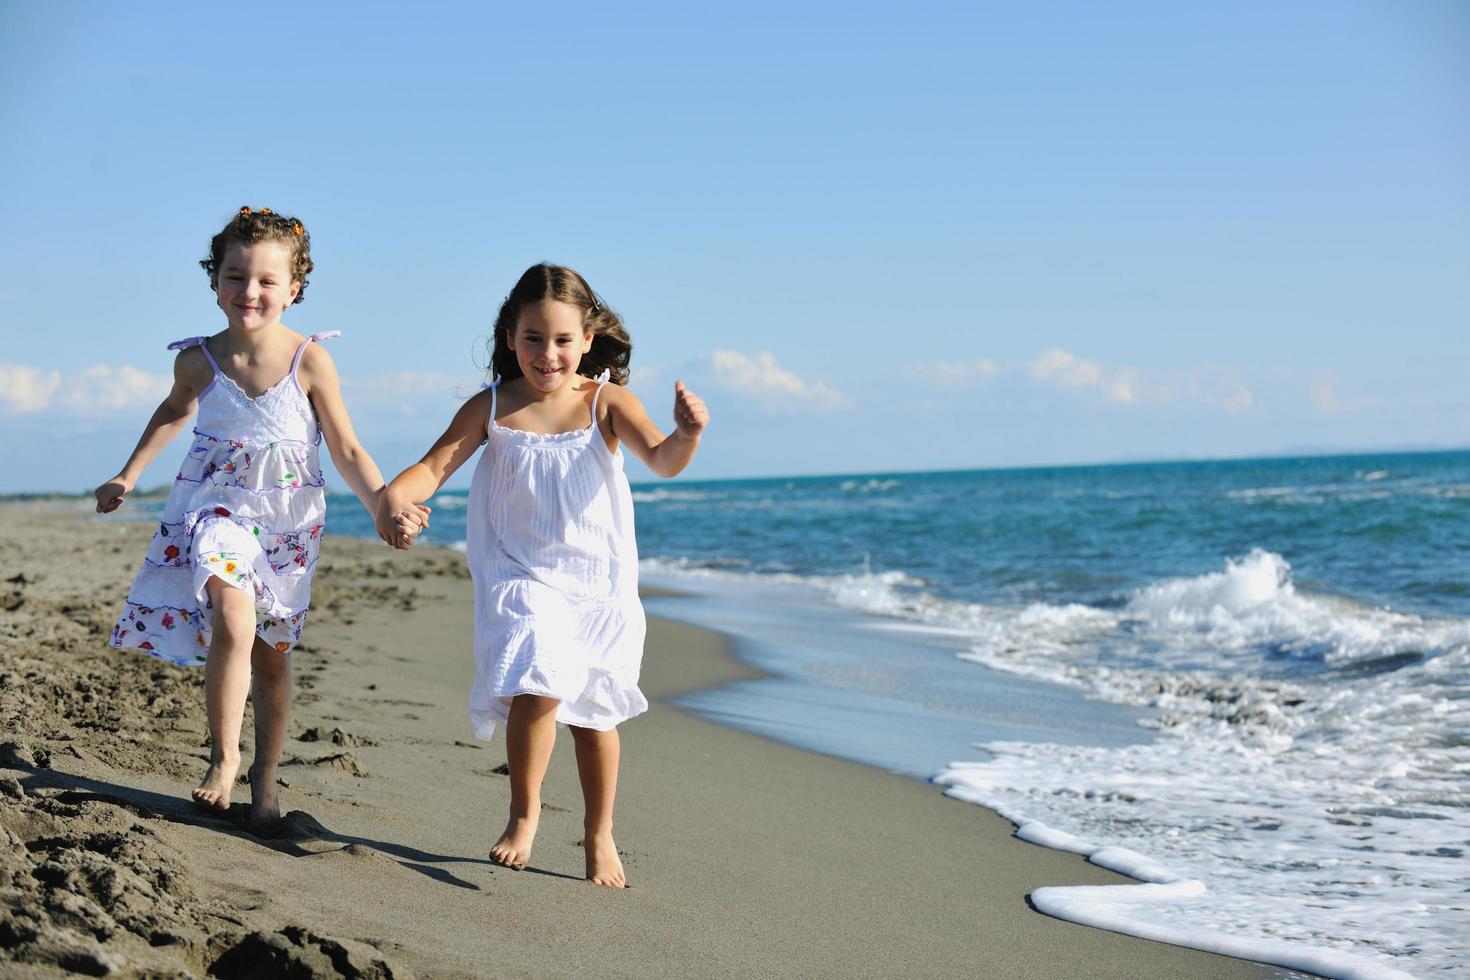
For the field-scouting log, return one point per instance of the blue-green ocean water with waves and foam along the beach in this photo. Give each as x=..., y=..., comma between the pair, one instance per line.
x=1246, y=684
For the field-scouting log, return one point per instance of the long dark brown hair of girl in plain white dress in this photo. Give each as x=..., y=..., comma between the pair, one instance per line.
x=612, y=347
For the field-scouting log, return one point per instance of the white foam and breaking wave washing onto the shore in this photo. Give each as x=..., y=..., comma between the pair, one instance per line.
x=1311, y=772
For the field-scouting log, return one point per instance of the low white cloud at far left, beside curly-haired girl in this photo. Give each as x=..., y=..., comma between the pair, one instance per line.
x=90, y=392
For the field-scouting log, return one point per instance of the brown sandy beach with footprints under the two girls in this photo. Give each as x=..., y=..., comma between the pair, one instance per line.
x=746, y=857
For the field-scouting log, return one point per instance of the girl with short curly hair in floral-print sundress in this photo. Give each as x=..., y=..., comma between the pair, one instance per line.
x=229, y=575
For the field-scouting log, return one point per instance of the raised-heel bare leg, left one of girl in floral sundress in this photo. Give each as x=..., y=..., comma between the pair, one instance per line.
x=227, y=680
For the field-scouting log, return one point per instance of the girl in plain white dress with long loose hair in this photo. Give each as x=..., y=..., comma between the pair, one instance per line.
x=559, y=628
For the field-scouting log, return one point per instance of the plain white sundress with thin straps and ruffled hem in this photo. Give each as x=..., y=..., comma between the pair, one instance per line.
x=552, y=552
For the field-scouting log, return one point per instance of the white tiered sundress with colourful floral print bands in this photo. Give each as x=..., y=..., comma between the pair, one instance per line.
x=248, y=506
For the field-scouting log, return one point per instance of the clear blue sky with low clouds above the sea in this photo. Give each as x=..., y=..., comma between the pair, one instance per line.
x=944, y=237
